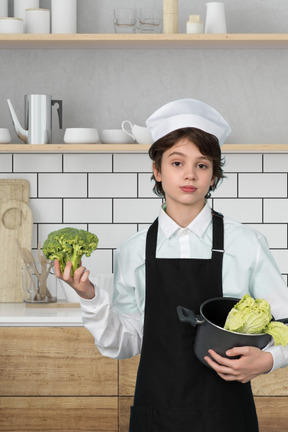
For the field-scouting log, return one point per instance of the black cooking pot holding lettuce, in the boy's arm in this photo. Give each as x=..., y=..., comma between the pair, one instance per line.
x=210, y=332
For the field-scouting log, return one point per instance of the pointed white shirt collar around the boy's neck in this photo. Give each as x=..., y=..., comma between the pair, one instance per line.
x=197, y=226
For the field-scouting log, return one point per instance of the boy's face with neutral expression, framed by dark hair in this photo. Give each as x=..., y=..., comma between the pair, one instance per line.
x=186, y=176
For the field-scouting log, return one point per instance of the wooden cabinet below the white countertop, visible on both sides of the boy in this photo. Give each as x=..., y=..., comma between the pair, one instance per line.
x=54, y=378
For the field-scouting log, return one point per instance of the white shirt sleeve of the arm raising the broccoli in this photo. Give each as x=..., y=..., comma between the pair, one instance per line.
x=113, y=317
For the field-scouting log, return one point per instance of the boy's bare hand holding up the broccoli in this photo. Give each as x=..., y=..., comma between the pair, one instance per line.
x=79, y=282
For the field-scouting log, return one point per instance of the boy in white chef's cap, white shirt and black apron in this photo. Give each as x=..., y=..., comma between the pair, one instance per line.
x=189, y=254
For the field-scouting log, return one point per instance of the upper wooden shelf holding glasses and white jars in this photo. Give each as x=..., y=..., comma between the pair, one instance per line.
x=224, y=41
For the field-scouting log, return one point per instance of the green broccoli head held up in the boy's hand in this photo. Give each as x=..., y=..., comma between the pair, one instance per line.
x=69, y=244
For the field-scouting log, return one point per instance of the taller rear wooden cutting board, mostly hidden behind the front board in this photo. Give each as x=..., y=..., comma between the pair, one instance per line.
x=13, y=189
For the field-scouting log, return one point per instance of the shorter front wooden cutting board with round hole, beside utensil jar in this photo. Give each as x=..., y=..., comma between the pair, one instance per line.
x=11, y=263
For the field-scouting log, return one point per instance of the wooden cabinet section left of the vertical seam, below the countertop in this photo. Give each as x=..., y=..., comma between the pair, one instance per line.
x=54, y=379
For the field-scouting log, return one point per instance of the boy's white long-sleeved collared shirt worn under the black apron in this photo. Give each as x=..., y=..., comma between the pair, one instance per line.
x=248, y=267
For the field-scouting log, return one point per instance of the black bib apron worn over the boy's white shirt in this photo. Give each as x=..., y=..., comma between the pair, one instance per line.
x=174, y=391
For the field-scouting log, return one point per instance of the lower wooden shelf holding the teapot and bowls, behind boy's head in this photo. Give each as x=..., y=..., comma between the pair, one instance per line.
x=129, y=148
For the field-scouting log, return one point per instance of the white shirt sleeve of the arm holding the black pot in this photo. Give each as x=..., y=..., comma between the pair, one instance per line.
x=268, y=283
